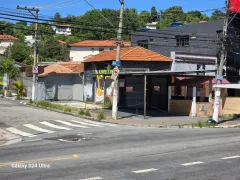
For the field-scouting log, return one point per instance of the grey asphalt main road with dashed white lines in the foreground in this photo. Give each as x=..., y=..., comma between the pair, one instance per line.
x=122, y=152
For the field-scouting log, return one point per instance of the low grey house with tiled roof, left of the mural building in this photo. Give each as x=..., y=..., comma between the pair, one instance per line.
x=61, y=81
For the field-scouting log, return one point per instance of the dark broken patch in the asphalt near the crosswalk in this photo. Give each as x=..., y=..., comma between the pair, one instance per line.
x=72, y=138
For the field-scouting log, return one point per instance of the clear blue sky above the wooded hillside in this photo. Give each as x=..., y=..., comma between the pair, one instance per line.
x=79, y=7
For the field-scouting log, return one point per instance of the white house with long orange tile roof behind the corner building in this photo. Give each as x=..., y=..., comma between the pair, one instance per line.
x=82, y=50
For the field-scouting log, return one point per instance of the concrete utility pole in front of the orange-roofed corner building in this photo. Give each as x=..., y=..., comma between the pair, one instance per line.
x=119, y=42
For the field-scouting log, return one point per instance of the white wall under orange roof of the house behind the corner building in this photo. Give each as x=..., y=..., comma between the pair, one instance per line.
x=82, y=53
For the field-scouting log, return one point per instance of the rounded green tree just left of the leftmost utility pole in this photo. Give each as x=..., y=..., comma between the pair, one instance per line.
x=20, y=51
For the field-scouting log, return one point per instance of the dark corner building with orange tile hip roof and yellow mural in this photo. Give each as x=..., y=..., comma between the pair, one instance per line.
x=98, y=85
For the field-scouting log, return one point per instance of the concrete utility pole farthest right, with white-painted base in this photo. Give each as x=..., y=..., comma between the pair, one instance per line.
x=223, y=58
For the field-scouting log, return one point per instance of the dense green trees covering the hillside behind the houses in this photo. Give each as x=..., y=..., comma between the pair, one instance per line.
x=92, y=25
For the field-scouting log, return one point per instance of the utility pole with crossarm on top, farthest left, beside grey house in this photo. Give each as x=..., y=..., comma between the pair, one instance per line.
x=35, y=67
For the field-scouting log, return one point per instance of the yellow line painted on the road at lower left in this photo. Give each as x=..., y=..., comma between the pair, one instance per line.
x=75, y=156
